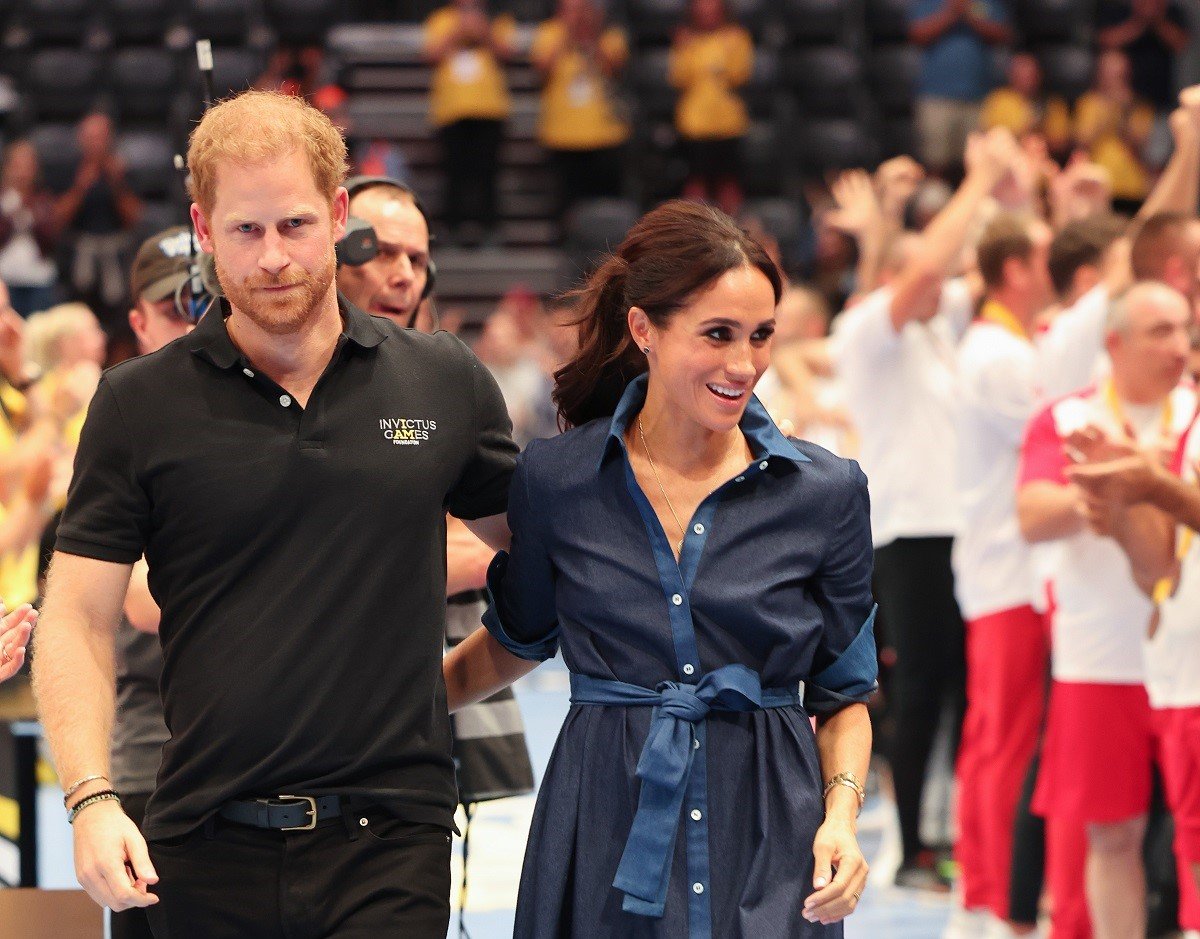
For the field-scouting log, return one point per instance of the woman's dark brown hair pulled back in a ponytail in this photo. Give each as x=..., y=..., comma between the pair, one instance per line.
x=673, y=254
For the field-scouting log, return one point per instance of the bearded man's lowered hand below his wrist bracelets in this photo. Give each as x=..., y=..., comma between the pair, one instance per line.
x=112, y=862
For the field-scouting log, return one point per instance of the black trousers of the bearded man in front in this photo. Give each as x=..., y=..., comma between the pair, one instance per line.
x=341, y=881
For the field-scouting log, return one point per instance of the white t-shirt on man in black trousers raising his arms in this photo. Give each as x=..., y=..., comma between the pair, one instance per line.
x=901, y=392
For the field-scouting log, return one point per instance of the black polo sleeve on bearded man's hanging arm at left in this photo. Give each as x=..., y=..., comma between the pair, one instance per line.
x=107, y=516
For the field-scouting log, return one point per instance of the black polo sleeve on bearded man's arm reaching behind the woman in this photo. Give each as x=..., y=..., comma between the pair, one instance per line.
x=483, y=489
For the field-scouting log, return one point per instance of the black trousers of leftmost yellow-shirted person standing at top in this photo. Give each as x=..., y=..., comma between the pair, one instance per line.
x=471, y=159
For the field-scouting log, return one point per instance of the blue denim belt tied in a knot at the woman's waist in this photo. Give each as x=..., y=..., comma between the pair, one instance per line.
x=665, y=764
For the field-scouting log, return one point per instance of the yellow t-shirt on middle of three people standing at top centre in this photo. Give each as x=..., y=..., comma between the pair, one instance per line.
x=578, y=109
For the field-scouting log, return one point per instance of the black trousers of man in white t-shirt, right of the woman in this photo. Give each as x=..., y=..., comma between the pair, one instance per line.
x=915, y=589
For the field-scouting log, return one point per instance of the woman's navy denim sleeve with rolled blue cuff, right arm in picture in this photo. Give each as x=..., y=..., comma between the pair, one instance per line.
x=845, y=666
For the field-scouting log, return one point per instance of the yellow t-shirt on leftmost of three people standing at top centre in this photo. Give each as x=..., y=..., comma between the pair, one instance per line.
x=469, y=83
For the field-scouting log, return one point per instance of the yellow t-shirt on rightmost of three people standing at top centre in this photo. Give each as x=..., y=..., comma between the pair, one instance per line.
x=706, y=69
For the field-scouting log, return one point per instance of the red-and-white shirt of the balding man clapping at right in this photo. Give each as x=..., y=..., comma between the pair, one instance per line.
x=1101, y=615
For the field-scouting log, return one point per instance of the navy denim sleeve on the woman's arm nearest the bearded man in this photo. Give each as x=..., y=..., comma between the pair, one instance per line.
x=521, y=614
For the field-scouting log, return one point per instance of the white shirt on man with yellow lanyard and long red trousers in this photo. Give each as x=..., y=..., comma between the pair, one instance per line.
x=992, y=561
